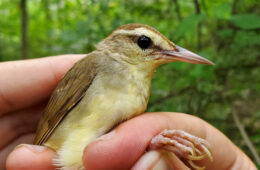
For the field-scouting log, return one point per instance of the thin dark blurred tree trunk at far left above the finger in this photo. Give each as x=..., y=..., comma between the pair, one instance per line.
x=23, y=29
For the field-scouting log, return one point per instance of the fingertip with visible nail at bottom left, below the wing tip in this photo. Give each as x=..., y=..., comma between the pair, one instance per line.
x=30, y=157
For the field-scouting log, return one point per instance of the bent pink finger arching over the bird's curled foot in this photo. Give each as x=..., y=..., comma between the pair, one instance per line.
x=122, y=147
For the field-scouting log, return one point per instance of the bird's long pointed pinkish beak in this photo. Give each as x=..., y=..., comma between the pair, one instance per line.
x=181, y=54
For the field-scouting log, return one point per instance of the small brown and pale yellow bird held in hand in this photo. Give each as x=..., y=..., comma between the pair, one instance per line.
x=108, y=86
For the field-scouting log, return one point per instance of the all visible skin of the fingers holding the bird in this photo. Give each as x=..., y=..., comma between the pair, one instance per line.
x=25, y=87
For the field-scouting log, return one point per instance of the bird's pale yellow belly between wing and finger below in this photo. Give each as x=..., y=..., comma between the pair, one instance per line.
x=91, y=118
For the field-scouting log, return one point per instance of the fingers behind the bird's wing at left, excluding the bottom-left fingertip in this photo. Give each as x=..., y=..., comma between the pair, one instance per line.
x=25, y=87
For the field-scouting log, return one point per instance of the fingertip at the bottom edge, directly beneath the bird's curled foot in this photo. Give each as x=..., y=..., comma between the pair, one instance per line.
x=159, y=160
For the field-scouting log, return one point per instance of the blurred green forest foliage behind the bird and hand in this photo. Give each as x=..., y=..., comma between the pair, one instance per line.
x=225, y=31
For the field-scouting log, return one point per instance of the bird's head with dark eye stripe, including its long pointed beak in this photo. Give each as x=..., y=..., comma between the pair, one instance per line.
x=138, y=44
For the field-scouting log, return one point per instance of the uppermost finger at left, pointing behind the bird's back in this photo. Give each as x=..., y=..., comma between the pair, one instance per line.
x=26, y=82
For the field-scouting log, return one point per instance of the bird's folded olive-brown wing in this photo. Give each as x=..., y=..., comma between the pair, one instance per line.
x=67, y=94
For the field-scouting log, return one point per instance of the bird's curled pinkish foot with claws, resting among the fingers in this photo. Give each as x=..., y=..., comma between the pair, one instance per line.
x=184, y=145
